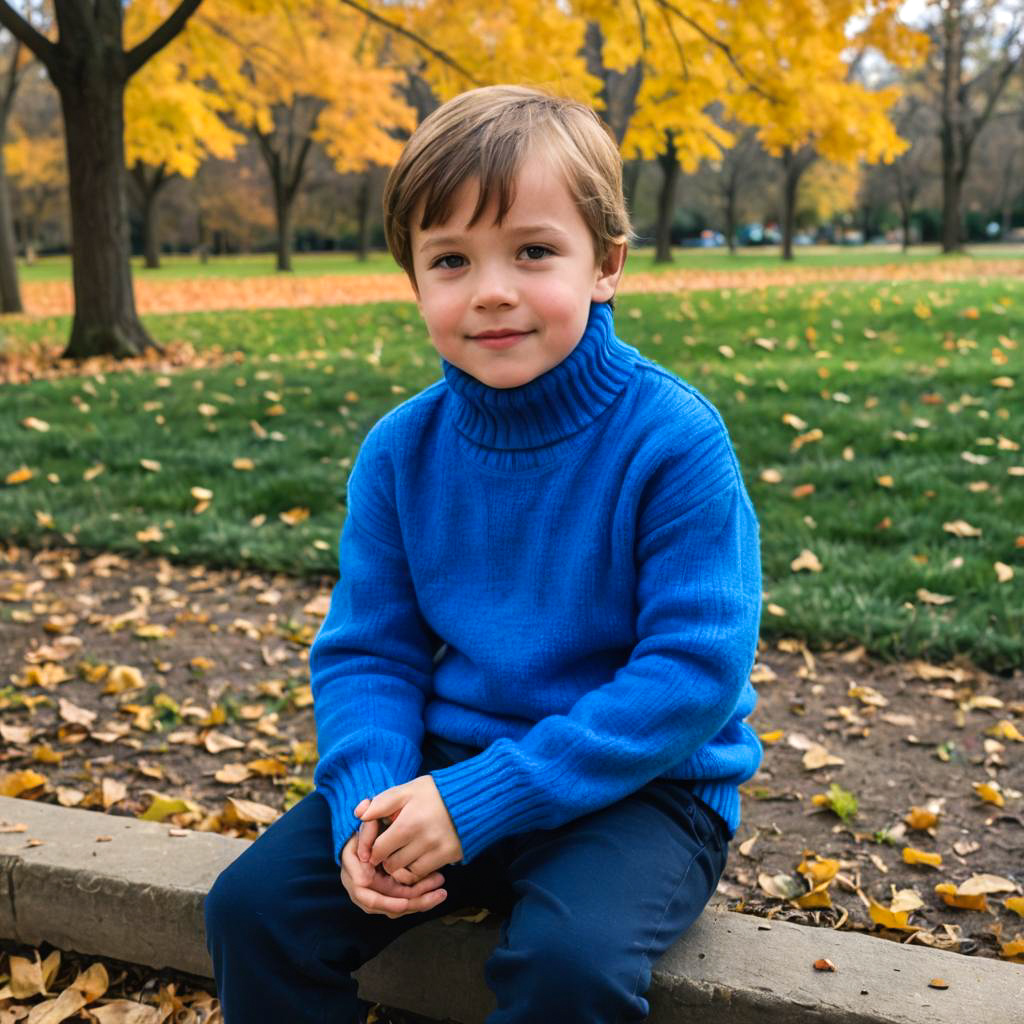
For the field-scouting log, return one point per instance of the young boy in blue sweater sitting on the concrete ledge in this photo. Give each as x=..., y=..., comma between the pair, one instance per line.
x=531, y=687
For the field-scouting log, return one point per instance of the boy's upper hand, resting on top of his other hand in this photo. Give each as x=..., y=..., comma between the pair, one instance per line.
x=419, y=842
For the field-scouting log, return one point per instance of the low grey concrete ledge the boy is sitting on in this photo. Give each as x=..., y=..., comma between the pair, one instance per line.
x=139, y=898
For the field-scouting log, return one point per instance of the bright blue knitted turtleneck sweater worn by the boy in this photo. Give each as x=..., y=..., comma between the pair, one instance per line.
x=565, y=576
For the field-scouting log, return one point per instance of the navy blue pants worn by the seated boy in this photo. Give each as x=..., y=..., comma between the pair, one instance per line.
x=589, y=909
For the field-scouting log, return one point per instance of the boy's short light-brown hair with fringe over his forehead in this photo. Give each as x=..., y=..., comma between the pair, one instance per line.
x=487, y=135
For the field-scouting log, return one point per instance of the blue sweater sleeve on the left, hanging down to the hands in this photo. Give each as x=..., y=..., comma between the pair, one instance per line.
x=372, y=661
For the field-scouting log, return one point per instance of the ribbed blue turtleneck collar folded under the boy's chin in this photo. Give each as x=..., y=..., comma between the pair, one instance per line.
x=551, y=407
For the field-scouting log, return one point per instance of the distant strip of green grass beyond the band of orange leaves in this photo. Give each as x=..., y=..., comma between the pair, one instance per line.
x=641, y=261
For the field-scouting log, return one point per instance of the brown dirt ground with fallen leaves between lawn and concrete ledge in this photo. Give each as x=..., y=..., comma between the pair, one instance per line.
x=124, y=681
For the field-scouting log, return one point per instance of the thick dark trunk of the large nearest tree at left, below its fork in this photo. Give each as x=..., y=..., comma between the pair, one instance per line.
x=106, y=322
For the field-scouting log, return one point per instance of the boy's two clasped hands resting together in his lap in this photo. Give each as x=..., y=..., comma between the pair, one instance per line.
x=392, y=869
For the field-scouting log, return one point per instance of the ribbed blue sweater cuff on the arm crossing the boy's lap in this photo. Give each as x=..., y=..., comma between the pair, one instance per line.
x=489, y=798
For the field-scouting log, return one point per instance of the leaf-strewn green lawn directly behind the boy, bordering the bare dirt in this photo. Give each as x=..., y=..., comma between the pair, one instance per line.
x=916, y=391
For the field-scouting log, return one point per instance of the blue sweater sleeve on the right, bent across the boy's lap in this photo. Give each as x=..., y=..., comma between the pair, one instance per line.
x=699, y=606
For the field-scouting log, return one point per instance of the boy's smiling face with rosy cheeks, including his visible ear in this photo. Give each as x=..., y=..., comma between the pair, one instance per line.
x=535, y=276
